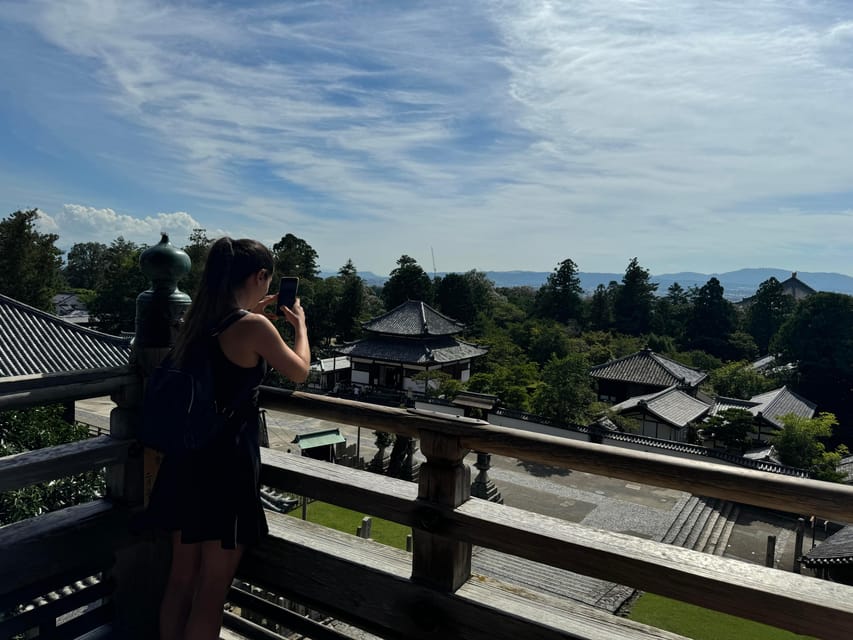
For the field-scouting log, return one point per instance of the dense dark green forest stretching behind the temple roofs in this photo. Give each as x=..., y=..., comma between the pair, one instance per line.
x=541, y=341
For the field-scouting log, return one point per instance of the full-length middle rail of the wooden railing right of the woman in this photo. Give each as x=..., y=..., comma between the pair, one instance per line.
x=788, y=600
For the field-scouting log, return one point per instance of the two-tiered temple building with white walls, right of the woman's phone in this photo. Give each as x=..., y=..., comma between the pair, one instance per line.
x=411, y=339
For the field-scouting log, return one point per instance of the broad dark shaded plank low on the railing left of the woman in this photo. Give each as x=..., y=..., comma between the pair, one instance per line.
x=79, y=537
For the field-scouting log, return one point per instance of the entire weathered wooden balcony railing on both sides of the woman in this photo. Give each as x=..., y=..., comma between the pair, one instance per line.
x=431, y=592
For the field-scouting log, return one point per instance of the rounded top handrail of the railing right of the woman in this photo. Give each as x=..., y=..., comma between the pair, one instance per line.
x=810, y=497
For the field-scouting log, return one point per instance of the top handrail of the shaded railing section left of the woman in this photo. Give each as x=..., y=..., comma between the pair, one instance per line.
x=28, y=391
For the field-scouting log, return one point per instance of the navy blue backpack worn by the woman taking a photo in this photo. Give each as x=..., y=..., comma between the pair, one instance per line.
x=180, y=412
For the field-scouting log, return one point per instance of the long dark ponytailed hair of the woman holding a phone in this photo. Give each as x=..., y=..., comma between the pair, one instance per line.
x=229, y=262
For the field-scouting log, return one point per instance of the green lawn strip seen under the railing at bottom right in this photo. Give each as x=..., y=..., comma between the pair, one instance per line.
x=701, y=624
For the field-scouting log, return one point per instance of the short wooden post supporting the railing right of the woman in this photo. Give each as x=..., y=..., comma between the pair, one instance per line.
x=444, y=483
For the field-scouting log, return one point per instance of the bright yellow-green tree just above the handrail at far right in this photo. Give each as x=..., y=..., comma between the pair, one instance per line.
x=798, y=445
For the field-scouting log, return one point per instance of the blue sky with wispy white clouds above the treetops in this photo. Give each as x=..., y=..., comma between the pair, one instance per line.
x=496, y=135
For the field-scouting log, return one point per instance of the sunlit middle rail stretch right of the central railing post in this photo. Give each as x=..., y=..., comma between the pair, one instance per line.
x=792, y=601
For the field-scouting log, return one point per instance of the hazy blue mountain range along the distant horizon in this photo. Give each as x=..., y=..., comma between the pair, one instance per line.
x=737, y=284
